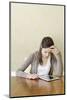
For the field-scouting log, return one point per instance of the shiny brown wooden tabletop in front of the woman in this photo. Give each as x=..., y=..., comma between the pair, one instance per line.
x=26, y=87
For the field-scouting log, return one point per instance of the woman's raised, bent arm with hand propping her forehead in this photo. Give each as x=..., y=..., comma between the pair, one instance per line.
x=58, y=65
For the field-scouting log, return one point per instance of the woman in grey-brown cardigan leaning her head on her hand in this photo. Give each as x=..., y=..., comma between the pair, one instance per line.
x=46, y=61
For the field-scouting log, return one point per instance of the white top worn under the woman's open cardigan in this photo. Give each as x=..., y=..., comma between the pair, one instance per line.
x=44, y=69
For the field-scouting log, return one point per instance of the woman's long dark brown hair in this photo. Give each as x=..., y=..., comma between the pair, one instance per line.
x=45, y=43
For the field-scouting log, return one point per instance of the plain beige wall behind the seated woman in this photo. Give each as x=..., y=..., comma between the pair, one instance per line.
x=29, y=24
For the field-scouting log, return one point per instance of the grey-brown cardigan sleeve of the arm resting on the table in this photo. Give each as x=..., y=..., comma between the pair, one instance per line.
x=20, y=72
